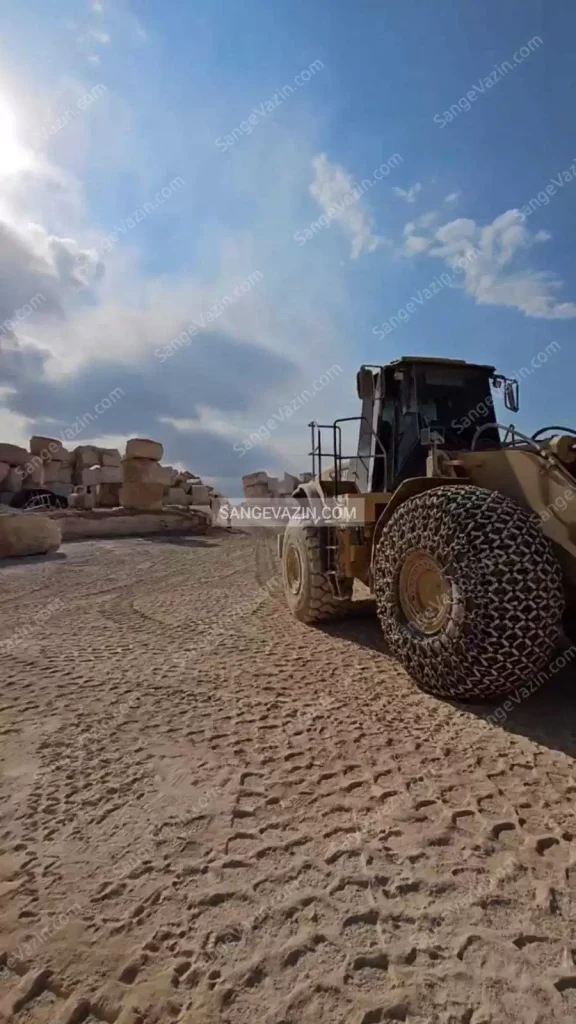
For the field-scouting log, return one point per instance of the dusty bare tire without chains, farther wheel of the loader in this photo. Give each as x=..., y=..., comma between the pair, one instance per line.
x=308, y=590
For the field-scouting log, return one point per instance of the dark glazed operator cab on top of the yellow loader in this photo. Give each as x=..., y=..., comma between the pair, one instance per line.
x=409, y=396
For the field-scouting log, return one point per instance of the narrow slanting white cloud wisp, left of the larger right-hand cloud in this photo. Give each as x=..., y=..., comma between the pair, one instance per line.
x=336, y=192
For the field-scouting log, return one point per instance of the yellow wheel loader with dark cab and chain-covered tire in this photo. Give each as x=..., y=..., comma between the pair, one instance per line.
x=465, y=529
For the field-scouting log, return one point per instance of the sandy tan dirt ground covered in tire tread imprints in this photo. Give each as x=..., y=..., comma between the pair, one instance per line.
x=213, y=814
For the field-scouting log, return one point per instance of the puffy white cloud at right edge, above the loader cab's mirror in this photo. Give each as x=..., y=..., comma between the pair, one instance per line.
x=491, y=278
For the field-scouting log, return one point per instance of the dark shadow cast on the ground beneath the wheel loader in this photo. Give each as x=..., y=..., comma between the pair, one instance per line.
x=548, y=716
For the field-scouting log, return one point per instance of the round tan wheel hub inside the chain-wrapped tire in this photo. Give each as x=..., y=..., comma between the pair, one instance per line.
x=426, y=595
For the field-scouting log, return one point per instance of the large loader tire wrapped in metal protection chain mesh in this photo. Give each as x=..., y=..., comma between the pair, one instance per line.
x=469, y=592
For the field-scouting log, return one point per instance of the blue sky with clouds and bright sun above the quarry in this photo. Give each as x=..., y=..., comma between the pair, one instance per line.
x=137, y=197
